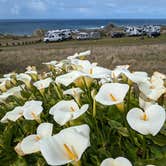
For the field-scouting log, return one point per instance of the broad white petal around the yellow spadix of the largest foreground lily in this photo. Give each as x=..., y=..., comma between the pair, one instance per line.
x=53, y=149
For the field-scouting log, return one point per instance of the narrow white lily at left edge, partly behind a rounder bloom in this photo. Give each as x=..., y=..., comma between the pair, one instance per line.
x=13, y=115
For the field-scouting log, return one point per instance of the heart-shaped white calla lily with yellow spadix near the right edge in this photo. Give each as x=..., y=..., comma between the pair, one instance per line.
x=147, y=122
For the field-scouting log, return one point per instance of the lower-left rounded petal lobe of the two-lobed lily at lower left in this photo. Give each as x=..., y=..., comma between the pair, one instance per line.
x=30, y=144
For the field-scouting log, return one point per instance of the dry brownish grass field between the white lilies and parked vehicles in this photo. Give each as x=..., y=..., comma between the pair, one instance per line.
x=147, y=54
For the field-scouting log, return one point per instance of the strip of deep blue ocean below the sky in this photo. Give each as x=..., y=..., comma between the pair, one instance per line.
x=27, y=27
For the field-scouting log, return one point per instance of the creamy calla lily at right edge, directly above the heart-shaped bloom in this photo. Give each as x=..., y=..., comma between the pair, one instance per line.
x=153, y=89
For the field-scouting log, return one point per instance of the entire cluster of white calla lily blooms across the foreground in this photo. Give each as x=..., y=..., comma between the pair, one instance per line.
x=70, y=143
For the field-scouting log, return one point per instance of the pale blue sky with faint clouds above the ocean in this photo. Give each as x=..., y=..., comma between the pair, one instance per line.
x=77, y=9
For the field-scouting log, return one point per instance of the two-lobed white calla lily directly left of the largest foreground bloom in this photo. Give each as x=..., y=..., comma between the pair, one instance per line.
x=30, y=144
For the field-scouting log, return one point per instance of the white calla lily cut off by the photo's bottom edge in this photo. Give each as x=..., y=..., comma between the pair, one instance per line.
x=119, y=161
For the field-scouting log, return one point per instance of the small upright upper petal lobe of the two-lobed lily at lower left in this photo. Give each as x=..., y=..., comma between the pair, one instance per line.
x=45, y=129
